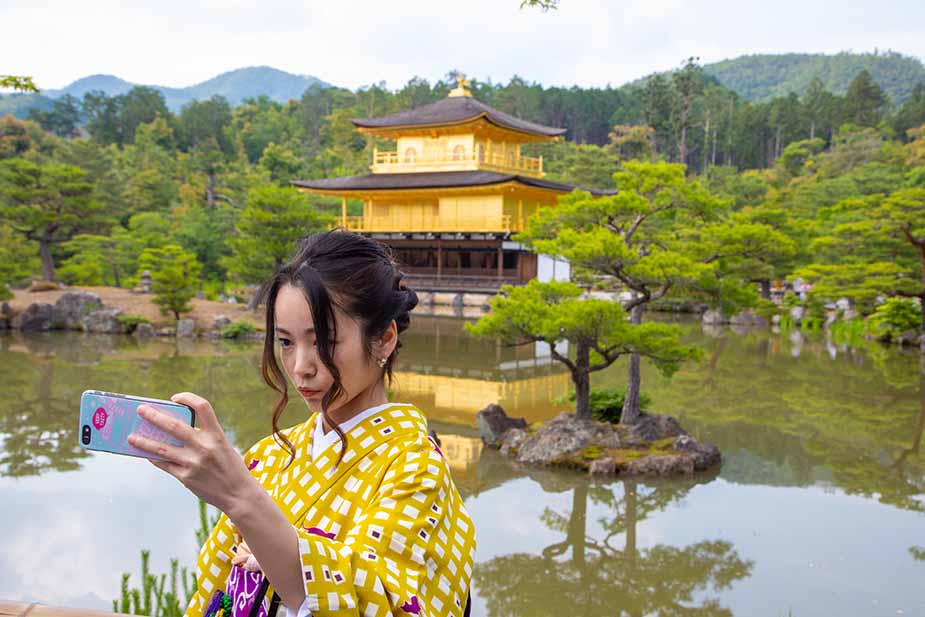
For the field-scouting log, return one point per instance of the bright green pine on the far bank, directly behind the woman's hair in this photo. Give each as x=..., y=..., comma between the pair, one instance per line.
x=271, y=223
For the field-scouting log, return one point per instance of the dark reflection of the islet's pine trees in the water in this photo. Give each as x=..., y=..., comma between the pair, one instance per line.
x=608, y=573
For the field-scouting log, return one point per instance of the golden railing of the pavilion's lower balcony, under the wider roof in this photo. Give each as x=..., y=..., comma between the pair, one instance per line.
x=419, y=223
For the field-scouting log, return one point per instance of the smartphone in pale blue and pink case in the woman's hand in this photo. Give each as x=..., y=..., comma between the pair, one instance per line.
x=107, y=419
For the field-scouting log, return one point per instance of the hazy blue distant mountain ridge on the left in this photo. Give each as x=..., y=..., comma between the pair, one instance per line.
x=235, y=86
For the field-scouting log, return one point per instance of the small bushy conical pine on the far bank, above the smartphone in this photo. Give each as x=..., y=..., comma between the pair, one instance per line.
x=174, y=275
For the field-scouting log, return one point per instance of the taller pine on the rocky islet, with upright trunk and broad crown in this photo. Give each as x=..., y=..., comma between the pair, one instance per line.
x=639, y=241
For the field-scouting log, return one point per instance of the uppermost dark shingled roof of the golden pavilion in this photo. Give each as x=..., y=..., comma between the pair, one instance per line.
x=456, y=110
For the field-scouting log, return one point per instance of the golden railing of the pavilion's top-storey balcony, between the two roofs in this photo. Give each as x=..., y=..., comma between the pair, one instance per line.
x=480, y=158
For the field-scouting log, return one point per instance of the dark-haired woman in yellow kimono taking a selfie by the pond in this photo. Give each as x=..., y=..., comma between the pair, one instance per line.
x=353, y=512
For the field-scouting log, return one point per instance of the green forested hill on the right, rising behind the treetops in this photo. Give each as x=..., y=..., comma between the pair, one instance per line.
x=765, y=76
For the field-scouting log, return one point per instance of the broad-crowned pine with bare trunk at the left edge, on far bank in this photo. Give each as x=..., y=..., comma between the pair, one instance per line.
x=47, y=204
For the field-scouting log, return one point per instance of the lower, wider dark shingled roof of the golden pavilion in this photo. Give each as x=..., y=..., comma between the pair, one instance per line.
x=434, y=180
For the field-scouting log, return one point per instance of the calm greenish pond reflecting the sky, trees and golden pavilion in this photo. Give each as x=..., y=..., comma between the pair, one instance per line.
x=818, y=509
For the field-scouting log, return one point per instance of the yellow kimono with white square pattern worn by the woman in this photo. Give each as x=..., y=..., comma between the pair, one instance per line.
x=384, y=532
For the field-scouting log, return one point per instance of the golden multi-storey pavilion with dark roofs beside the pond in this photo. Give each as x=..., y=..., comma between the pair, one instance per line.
x=450, y=196
